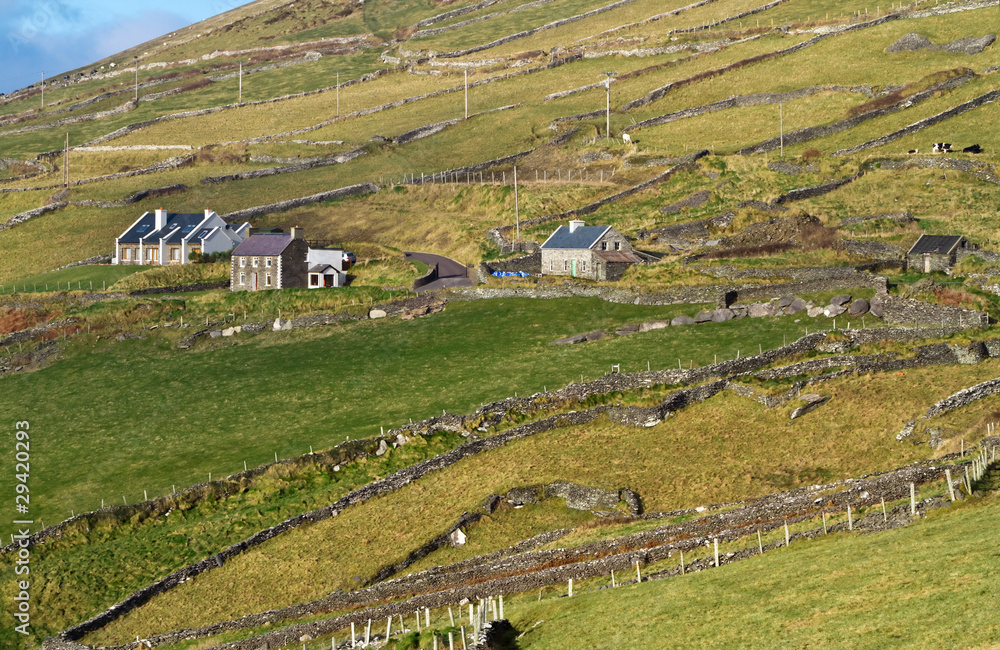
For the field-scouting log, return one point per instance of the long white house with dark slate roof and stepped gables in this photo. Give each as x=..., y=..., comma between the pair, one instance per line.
x=162, y=238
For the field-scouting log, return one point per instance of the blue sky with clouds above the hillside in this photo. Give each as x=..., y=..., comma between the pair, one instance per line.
x=56, y=36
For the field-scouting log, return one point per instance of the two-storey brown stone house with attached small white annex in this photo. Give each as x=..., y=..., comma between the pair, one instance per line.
x=284, y=261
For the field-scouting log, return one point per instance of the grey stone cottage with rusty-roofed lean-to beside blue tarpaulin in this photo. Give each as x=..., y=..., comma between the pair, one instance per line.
x=591, y=252
